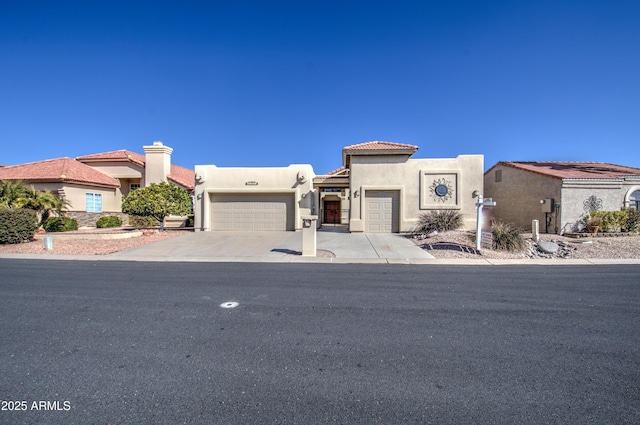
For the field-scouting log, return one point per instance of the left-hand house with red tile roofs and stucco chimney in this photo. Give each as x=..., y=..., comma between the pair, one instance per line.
x=95, y=185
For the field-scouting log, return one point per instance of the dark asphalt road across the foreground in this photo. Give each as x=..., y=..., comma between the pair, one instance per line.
x=149, y=343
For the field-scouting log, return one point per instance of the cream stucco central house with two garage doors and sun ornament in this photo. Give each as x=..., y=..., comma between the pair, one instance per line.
x=377, y=189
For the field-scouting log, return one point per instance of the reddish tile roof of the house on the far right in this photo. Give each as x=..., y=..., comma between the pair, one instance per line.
x=575, y=170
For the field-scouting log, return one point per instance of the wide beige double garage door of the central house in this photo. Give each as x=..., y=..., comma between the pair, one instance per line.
x=255, y=211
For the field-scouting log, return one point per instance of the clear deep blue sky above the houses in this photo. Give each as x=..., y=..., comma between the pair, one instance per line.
x=269, y=83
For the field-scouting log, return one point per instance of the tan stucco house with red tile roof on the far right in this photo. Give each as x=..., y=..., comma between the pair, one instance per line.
x=559, y=194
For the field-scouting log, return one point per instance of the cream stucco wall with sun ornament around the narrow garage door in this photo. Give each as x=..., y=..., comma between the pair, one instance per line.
x=412, y=179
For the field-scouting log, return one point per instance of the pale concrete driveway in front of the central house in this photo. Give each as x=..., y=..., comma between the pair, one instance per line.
x=276, y=246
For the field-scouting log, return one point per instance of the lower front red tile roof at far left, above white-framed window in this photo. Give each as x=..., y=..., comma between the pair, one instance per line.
x=58, y=170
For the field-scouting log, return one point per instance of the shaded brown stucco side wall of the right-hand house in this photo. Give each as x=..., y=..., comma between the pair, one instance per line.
x=518, y=196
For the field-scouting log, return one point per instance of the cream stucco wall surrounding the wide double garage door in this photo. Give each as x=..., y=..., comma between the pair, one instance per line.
x=296, y=179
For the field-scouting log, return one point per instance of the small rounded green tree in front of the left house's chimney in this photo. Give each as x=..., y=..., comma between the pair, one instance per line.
x=158, y=200
